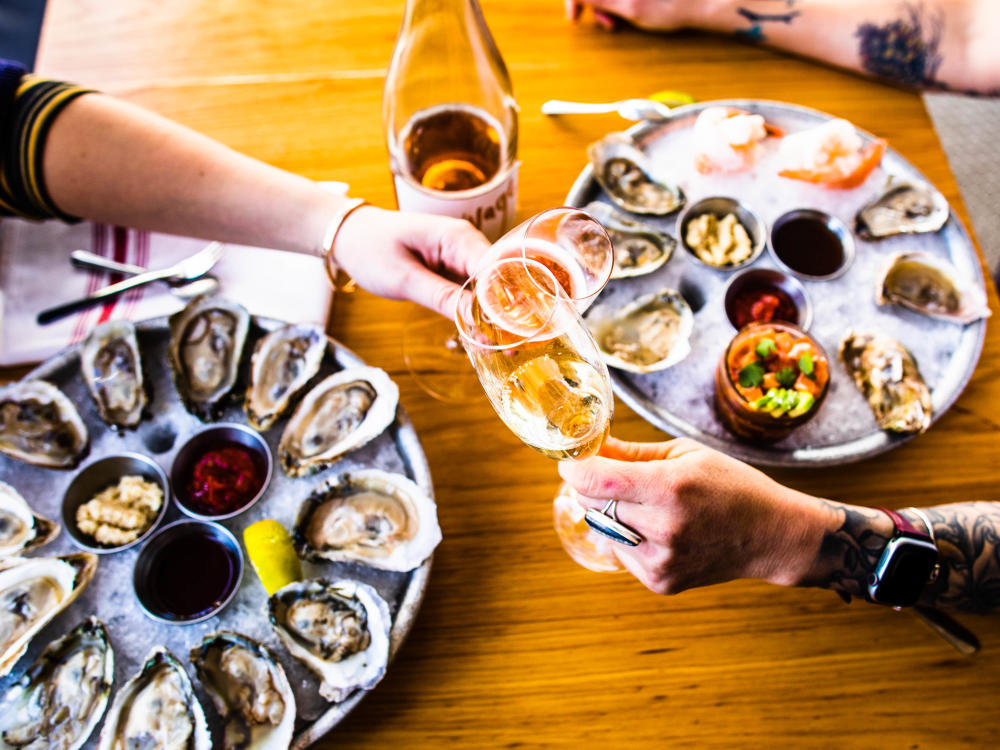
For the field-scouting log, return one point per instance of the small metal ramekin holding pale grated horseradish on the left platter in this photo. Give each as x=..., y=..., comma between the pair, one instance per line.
x=100, y=474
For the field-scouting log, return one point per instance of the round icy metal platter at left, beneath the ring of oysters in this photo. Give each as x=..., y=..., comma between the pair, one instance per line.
x=392, y=455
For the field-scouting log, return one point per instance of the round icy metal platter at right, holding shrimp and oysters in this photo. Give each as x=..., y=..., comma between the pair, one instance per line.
x=680, y=399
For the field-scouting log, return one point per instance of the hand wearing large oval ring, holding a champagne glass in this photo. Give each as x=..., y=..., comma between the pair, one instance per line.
x=706, y=518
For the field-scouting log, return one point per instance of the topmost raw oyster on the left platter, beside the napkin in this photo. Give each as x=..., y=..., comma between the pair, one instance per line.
x=206, y=342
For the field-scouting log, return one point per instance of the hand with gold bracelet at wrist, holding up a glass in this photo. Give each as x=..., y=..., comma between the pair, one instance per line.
x=409, y=255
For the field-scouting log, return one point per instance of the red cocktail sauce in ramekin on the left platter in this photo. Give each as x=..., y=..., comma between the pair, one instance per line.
x=224, y=480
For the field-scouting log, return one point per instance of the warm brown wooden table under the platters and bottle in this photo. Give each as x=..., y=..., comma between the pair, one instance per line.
x=515, y=645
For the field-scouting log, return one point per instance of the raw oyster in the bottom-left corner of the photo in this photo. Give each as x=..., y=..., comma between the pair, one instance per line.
x=60, y=699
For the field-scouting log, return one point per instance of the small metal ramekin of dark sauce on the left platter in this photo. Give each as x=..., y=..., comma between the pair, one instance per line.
x=142, y=572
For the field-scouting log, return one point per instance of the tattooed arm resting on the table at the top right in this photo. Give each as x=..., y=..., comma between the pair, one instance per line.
x=919, y=43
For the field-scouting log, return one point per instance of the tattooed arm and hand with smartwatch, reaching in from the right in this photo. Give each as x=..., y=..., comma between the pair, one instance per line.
x=708, y=518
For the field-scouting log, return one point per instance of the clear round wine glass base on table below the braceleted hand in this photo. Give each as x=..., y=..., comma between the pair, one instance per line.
x=436, y=360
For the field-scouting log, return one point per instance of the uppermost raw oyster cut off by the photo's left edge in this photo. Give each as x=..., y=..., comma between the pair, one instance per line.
x=38, y=424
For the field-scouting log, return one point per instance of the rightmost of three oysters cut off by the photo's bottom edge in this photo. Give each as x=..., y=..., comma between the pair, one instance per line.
x=249, y=689
